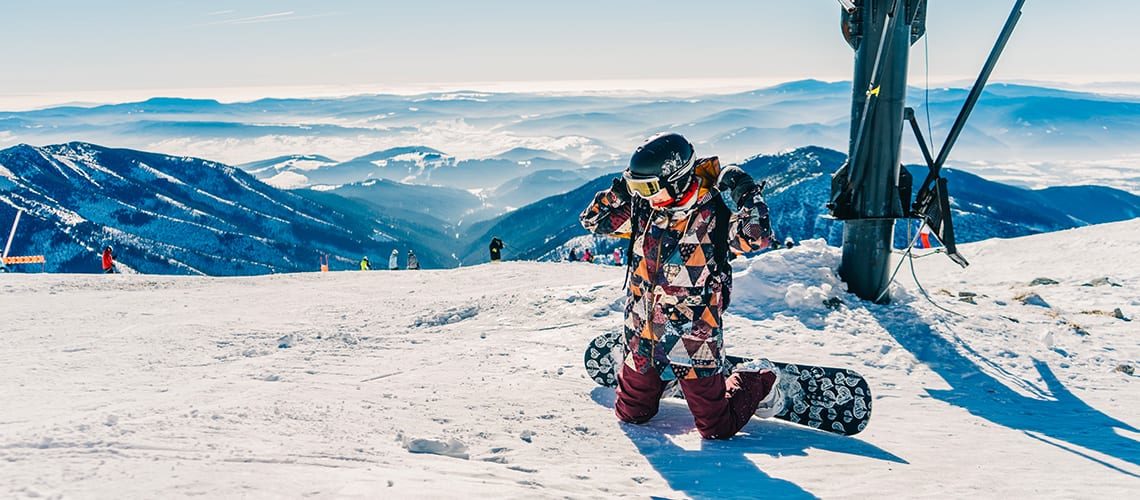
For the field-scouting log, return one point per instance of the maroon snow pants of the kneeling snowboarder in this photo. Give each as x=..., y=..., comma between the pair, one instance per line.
x=721, y=406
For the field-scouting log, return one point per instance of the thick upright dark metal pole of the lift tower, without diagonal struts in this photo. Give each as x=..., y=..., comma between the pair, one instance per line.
x=866, y=193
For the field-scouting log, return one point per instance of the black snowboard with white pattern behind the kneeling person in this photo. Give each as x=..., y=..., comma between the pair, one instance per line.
x=835, y=400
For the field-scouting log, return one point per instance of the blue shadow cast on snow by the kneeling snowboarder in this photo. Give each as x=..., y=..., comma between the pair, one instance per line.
x=721, y=469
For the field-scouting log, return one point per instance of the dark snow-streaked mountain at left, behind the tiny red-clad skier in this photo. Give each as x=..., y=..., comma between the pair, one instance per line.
x=167, y=215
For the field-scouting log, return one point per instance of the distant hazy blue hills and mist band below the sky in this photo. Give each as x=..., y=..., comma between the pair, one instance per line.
x=1020, y=135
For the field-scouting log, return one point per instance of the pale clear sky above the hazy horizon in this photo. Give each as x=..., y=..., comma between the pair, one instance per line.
x=82, y=51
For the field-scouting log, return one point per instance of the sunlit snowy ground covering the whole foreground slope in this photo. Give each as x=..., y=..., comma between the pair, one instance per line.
x=469, y=382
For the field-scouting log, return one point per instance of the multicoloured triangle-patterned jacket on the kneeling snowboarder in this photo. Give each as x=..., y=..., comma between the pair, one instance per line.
x=678, y=289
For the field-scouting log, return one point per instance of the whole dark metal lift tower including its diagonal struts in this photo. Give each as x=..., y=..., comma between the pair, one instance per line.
x=873, y=190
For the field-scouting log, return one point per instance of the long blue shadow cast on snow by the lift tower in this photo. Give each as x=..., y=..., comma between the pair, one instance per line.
x=1062, y=421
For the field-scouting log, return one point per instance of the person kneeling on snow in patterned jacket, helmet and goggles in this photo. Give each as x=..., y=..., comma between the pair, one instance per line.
x=669, y=203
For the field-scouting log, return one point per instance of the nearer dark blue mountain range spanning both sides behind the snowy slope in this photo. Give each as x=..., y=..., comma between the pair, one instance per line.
x=169, y=215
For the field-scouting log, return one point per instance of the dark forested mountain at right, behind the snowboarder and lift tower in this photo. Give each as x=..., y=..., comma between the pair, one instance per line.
x=797, y=194
